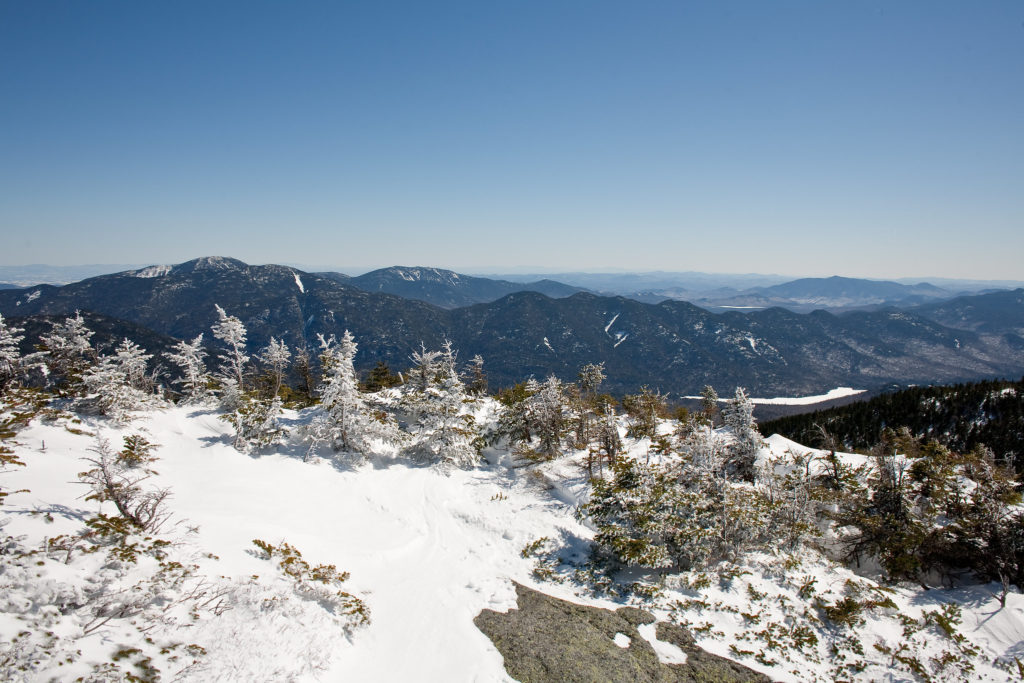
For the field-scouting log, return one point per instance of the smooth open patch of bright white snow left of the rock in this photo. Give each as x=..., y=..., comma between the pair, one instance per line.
x=426, y=550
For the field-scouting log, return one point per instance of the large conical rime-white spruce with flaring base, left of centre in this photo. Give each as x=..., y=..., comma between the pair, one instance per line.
x=350, y=425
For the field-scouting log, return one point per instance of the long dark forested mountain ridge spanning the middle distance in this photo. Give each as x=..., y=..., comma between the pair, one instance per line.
x=674, y=347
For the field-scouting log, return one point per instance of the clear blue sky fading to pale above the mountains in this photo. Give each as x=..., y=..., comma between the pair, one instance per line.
x=808, y=139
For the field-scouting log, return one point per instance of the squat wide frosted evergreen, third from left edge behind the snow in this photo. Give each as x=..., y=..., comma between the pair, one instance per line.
x=118, y=386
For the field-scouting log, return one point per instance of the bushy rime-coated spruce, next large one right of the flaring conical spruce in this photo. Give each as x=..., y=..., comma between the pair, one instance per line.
x=444, y=433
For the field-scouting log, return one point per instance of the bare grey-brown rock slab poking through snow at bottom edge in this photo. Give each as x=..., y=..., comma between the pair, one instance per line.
x=546, y=639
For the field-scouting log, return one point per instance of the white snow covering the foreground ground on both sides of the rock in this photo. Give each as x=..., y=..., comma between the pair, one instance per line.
x=428, y=550
